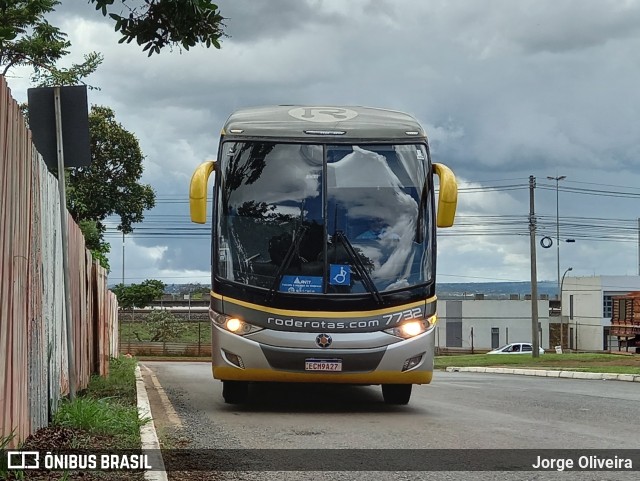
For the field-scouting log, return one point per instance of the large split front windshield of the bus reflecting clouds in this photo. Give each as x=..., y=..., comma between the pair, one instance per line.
x=327, y=219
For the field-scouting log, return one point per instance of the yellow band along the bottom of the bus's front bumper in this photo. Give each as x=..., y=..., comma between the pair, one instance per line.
x=227, y=373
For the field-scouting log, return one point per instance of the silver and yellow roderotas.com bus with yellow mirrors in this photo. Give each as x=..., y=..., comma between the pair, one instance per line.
x=323, y=248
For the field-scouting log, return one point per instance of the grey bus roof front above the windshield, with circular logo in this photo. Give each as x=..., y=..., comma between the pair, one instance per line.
x=305, y=122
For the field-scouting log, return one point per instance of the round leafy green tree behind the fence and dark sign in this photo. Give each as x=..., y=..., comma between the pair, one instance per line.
x=110, y=184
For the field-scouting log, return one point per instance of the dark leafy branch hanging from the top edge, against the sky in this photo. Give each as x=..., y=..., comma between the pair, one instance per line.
x=160, y=23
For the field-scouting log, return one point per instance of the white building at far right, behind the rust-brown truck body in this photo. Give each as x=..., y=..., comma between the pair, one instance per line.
x=587, y=309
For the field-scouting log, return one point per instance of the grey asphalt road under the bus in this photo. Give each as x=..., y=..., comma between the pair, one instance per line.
x=458, y=411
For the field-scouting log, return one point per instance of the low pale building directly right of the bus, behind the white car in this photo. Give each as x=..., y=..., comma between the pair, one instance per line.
x=487, y=324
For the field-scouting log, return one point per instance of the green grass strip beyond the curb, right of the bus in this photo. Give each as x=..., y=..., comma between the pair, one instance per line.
x=608, y=363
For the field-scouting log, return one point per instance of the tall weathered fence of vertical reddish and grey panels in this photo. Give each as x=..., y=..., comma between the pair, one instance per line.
x=33, y=347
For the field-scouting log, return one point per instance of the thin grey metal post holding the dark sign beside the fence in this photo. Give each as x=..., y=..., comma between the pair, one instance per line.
x=65, y=246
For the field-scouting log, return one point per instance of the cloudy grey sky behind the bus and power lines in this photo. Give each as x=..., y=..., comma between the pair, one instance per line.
x=504, y=89
